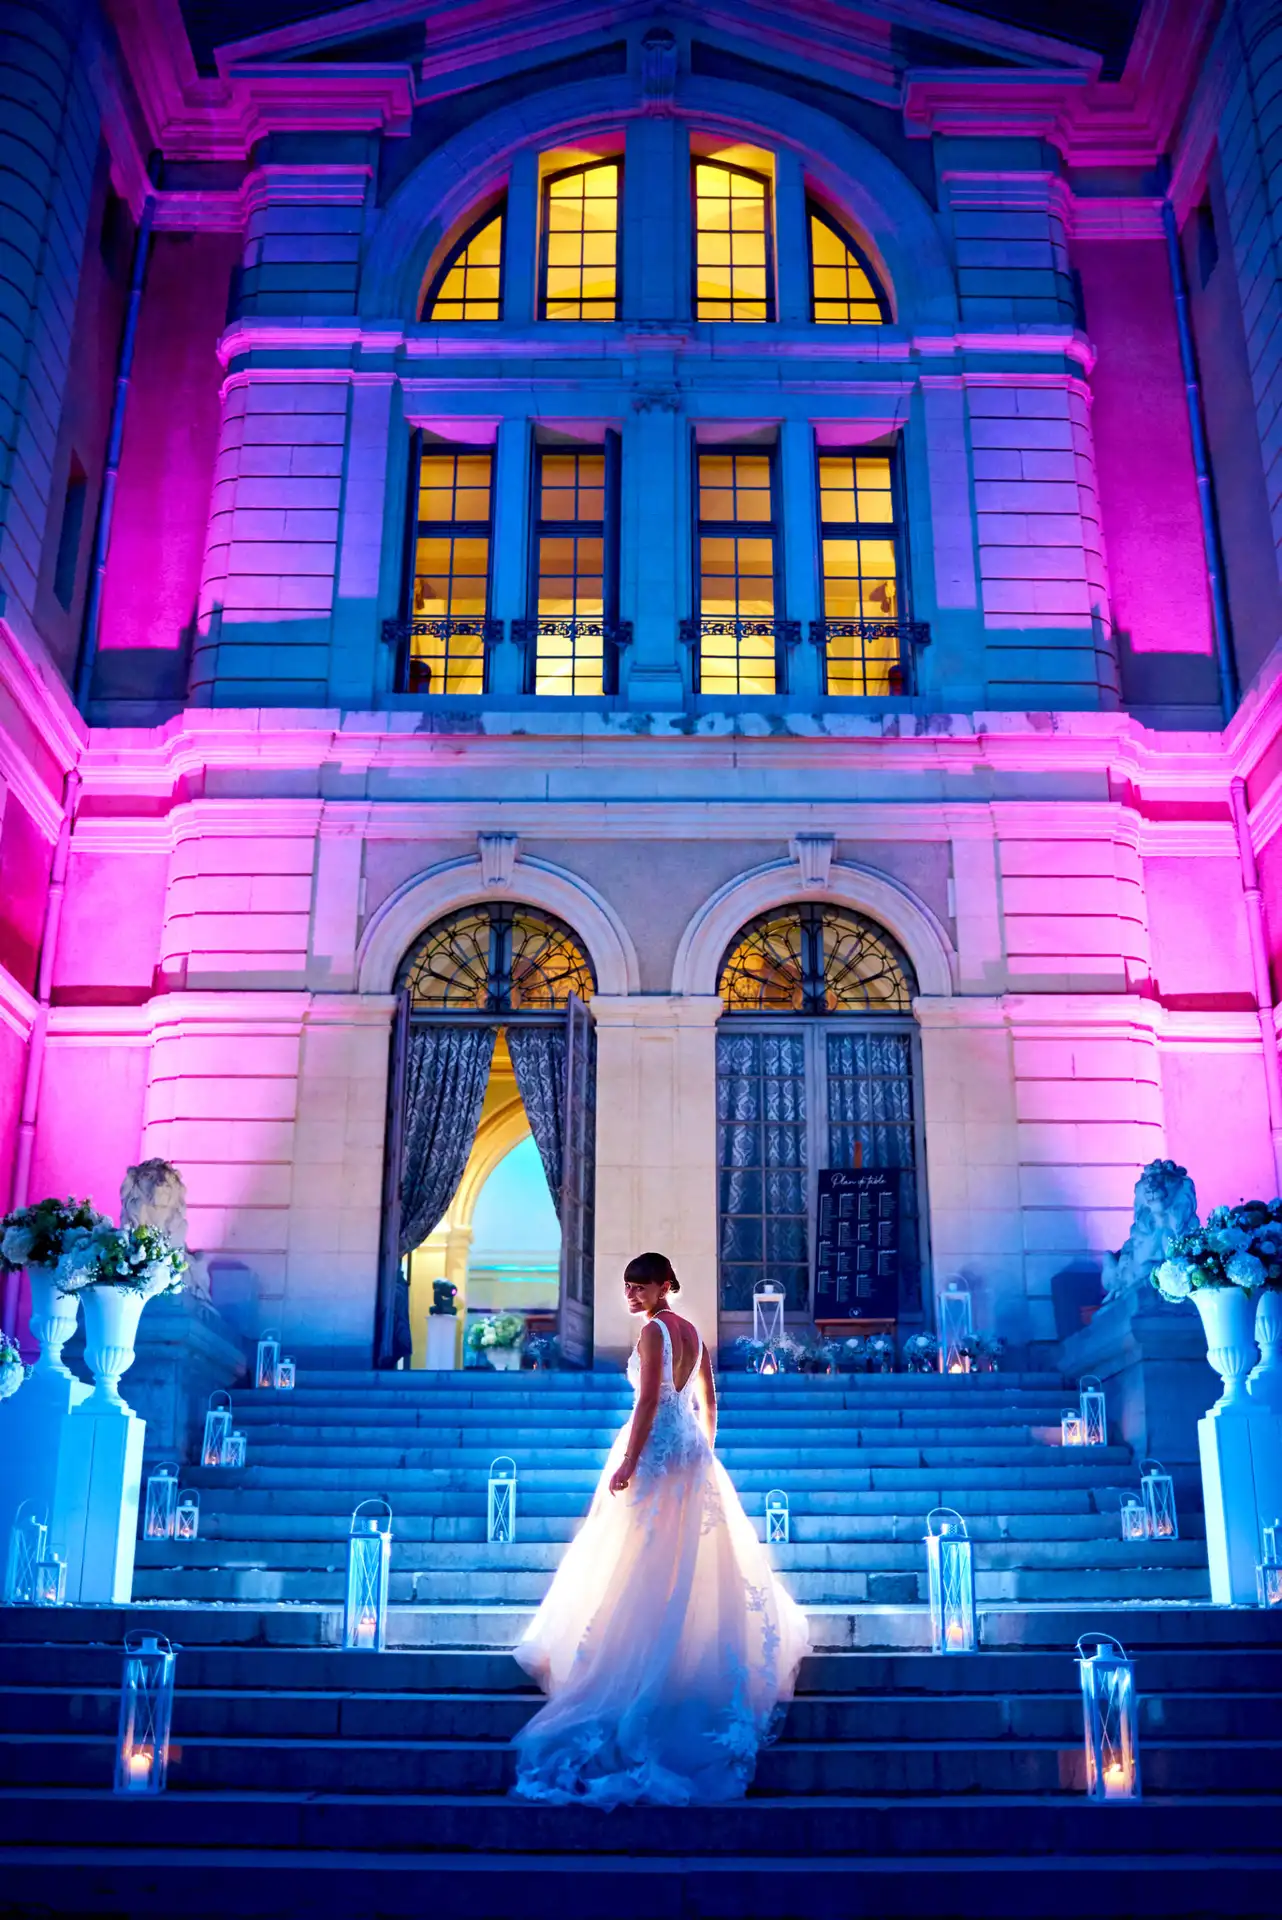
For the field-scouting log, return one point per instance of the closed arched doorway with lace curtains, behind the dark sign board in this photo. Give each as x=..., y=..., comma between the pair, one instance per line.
x=817, y=1065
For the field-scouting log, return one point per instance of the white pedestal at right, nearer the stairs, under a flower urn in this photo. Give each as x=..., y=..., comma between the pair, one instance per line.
x=1241, y=1491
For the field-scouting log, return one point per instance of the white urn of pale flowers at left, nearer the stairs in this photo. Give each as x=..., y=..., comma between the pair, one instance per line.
x=116, y=1272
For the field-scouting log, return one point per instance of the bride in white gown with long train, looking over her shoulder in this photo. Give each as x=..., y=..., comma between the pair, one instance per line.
x=665, y=1643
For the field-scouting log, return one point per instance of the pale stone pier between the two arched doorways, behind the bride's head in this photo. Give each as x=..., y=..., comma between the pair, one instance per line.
x=655, y=1155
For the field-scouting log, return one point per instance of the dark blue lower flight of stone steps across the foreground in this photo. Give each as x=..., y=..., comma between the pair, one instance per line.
x=306, y=1781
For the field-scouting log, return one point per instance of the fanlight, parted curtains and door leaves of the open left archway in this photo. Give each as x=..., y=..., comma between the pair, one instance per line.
x=485, y=978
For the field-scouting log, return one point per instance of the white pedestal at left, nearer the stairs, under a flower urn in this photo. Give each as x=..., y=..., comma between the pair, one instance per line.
x=97, y=1518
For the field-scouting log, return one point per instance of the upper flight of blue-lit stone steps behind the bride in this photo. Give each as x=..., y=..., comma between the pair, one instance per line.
x=861, y=1456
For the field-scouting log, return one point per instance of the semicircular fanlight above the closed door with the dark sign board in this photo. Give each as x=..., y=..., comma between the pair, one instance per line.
x=815, y=959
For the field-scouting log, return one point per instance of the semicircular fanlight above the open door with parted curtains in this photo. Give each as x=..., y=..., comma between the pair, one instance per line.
x=496, y=959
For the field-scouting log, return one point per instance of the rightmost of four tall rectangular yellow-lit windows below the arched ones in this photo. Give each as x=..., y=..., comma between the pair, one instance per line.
x=859, y=537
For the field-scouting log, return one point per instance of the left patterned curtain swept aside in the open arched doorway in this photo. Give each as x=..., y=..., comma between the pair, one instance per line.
x=446, y=1080
